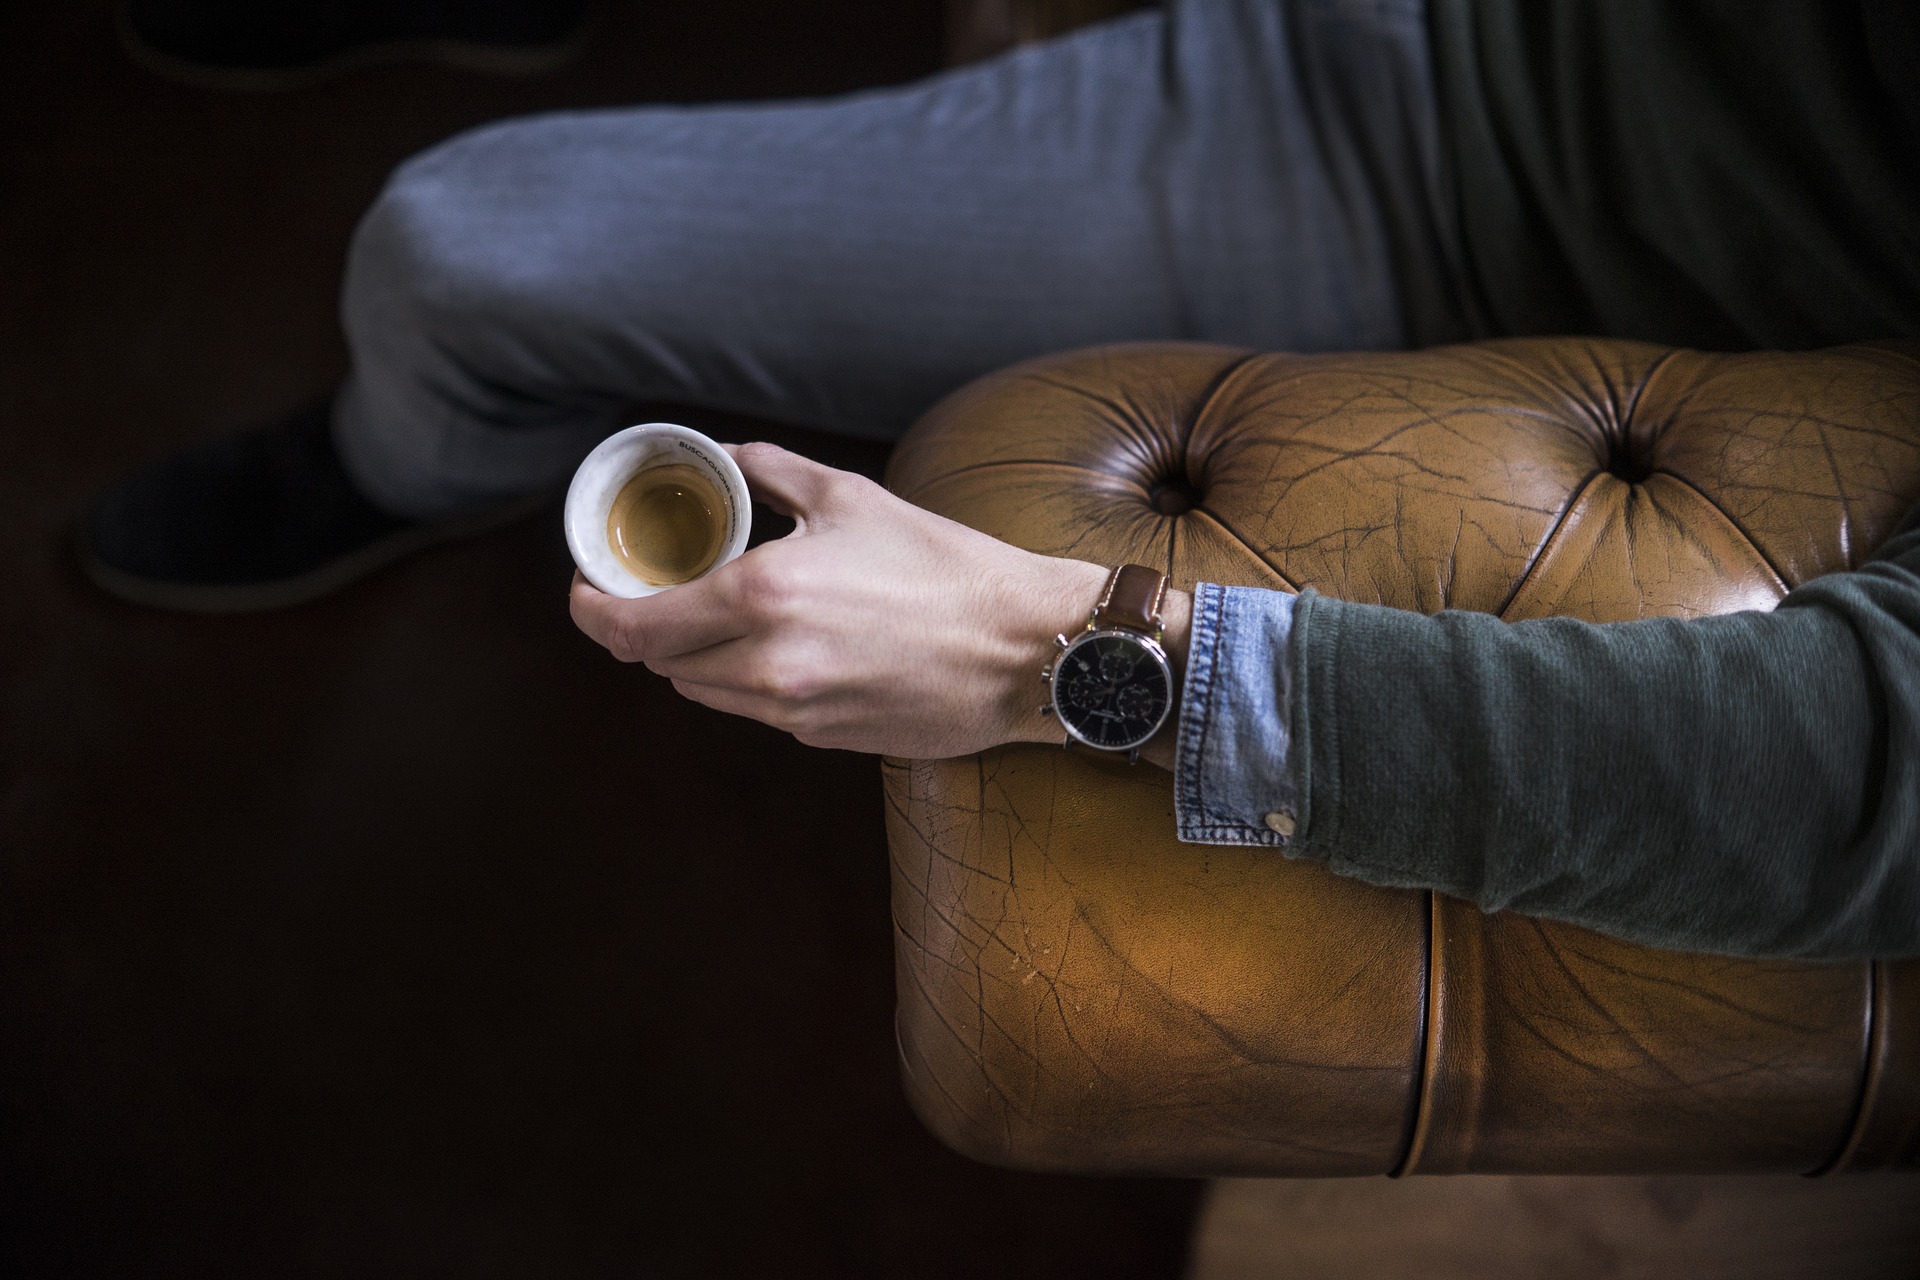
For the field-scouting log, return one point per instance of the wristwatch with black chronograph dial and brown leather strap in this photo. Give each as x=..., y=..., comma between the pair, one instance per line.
x=1113, y=686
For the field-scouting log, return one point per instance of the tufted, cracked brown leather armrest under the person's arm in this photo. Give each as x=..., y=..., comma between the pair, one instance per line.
x=1078, y=991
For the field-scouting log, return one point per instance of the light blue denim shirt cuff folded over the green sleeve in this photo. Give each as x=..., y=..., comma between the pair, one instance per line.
x=1232, y=778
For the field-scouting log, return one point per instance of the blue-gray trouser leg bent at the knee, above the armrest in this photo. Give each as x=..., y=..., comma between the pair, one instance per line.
x=1249, y=172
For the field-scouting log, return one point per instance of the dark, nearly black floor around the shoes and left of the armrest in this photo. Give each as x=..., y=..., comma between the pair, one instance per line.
x=406, y=934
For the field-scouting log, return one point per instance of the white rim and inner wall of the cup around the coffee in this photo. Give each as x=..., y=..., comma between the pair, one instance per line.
x=606, y=471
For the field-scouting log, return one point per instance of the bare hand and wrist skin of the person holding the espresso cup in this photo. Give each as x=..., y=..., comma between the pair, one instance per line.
x=875, y=627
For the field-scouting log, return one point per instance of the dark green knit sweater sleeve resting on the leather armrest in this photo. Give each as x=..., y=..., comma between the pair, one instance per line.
x=1746, y=784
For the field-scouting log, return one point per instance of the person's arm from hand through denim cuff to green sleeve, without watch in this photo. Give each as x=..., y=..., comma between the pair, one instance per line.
x=1744, y=784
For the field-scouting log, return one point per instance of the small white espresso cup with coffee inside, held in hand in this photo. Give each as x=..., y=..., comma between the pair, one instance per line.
x=654, y=508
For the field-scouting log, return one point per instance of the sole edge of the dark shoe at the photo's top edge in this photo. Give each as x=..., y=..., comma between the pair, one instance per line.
x=448, y=55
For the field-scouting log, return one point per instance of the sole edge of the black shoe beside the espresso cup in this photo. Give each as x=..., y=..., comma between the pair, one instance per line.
x=287, y=592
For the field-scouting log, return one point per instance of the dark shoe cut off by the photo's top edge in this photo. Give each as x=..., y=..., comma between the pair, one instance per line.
x=291, y=43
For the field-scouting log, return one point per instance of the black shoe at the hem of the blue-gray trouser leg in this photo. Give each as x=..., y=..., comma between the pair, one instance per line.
x=254, y=521
